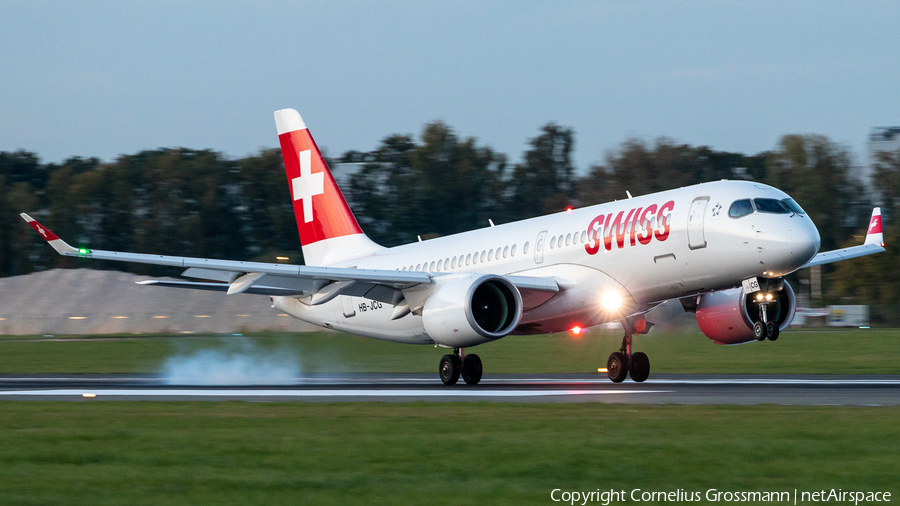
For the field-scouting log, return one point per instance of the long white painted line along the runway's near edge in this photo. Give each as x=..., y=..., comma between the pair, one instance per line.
x=318, y=393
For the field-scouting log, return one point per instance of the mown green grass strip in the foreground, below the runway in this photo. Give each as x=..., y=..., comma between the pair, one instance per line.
x=150, y=453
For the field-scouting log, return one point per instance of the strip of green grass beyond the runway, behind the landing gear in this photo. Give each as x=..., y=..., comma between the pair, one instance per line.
x=812, y=352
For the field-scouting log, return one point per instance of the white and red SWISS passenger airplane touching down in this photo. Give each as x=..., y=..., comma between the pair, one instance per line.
x=721, y=248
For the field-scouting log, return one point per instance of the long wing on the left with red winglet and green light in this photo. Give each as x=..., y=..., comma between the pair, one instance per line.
x=321, y=284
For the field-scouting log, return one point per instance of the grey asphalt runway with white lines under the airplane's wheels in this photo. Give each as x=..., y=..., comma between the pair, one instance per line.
x=659, y=389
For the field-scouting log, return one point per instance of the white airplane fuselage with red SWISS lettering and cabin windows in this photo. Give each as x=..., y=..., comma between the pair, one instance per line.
x=686, y=243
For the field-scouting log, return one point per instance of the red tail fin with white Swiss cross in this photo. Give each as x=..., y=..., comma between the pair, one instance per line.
x=320, y=209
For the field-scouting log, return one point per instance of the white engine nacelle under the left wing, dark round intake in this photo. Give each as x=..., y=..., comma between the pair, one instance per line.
x=472, y=310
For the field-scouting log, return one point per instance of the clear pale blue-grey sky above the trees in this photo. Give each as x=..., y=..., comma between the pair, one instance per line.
x=100, y=79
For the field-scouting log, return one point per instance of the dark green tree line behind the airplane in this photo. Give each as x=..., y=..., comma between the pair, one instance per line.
x=200, y=203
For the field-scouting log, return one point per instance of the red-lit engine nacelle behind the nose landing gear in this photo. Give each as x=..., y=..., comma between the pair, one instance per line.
x=727, y=317
